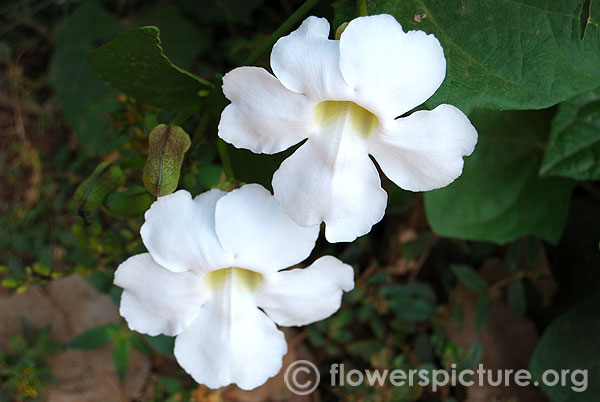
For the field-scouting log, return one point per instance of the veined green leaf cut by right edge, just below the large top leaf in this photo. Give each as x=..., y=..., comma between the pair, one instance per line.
x=574, y=146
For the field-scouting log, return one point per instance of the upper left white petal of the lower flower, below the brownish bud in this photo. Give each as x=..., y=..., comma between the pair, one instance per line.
x=180, y=233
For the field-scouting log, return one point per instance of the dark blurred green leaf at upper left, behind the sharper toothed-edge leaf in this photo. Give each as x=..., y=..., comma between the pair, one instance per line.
x=84, y=98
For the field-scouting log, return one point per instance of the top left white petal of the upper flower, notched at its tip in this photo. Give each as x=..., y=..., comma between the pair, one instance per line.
x=307, y=62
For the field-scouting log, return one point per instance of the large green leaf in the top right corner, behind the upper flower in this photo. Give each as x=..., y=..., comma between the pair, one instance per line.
x=504, y=54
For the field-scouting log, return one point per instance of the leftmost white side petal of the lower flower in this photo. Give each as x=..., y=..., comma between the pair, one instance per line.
x=156, y=300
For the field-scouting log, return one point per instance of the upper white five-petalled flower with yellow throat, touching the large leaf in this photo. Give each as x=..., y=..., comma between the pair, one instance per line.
x=345, y=96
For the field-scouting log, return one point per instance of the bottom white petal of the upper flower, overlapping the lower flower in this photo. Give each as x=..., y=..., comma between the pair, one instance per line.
x=331, y=178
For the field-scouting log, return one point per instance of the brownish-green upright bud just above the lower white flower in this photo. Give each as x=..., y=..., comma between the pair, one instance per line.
x=168, y=145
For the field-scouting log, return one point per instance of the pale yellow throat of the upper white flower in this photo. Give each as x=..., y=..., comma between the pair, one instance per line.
x=333, y=113
